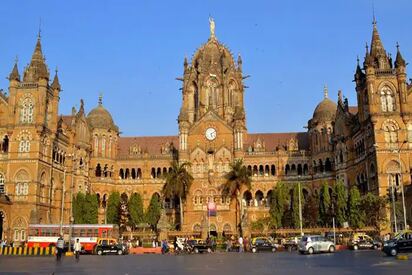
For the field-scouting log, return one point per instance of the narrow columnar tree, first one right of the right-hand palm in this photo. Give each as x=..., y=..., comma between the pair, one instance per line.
x=278, y=204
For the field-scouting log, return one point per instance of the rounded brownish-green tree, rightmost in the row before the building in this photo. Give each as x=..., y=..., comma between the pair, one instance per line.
x=374, y=208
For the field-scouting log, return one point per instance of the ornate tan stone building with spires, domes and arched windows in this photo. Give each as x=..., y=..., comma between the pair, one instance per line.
x=46, y=158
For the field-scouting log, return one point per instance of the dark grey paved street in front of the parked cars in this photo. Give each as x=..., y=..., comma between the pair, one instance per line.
x=346, y=262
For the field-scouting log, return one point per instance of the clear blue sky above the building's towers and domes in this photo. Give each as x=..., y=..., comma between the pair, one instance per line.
x=132, y=51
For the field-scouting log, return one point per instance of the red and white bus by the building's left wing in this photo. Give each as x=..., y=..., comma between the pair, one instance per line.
x=46, y=235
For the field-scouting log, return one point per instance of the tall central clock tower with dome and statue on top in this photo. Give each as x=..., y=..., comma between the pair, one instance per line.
x=212, y=124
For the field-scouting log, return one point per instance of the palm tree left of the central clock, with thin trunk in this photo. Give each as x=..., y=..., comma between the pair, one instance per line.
x=177, y=185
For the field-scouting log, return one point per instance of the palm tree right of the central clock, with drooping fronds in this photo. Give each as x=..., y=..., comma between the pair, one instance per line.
x=236, y=179
